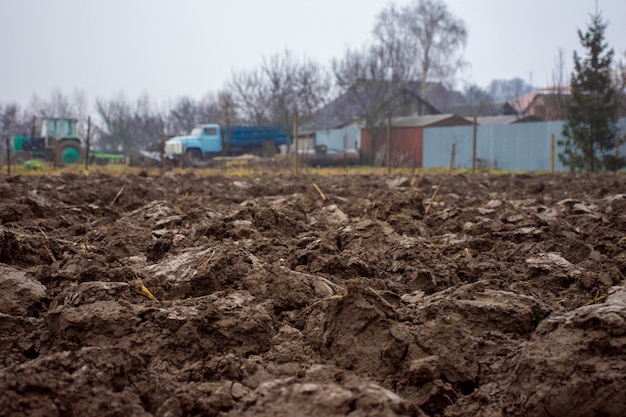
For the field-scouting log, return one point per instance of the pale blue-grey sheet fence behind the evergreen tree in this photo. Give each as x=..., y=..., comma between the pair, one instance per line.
x=515, y=147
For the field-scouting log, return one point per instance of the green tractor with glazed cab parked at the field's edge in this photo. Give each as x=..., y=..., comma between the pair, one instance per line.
x=57, y=142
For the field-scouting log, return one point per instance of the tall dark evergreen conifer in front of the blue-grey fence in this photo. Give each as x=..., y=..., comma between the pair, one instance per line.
x=591, y=125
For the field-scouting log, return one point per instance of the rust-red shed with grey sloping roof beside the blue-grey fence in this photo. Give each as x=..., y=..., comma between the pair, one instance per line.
x=406, y=135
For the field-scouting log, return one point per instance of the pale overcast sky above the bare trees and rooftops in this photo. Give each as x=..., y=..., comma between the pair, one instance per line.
x=168, y=49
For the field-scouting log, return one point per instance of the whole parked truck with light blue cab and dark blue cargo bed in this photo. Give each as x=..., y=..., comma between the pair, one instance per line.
x=208, y=141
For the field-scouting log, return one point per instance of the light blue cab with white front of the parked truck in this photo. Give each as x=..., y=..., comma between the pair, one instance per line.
x=203, y=142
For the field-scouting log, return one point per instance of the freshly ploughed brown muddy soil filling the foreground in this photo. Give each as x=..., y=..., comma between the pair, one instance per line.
x=188, y=295
